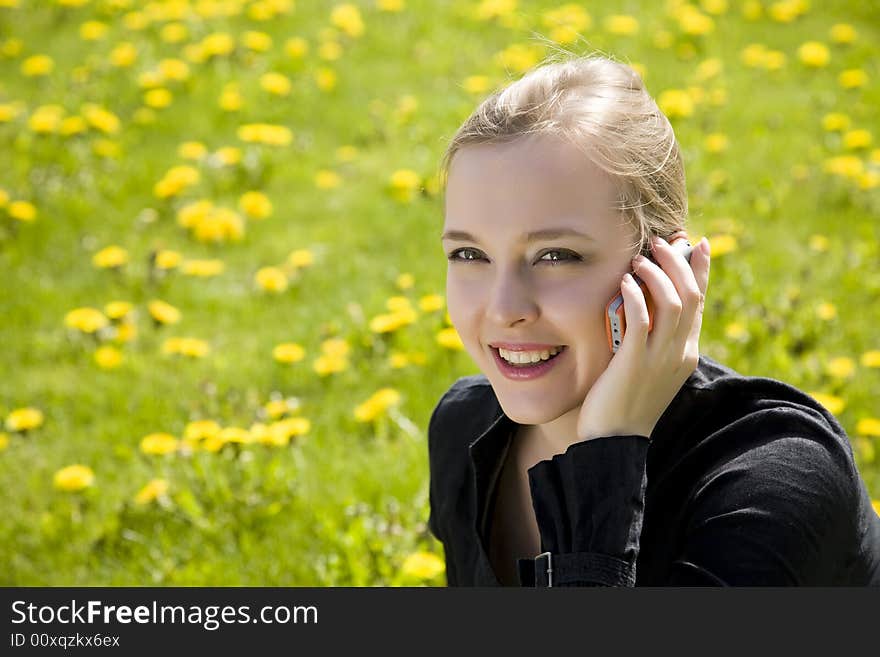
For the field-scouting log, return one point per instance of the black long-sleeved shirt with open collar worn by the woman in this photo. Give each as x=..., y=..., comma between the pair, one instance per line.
x=744, y=481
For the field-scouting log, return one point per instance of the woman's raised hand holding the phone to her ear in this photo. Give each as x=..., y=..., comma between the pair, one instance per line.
x=648, y=369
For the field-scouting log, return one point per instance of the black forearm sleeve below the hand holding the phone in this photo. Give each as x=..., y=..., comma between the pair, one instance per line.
x=589, y=505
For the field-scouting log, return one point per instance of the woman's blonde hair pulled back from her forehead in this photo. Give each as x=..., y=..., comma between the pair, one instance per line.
x=603, y=108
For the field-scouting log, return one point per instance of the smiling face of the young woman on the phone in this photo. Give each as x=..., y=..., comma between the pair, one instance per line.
x=550, y=290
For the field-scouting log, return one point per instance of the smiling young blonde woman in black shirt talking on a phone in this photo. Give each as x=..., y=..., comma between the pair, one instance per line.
x=571, y=461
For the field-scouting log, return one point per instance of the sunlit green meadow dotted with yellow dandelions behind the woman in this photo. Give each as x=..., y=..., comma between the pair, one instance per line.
x=222, y=298
